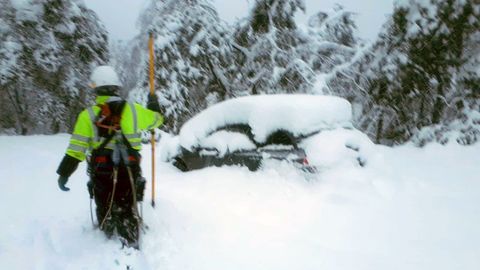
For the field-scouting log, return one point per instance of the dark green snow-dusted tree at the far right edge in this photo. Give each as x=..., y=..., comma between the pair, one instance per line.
x=420, y=72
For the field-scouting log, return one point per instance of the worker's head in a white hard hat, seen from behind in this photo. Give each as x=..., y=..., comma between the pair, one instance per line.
x=105, y=82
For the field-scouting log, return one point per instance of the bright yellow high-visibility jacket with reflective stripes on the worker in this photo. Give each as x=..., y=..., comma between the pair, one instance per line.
x=134, y=119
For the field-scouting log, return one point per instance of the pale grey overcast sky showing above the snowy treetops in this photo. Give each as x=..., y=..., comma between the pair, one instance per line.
x=120, y=16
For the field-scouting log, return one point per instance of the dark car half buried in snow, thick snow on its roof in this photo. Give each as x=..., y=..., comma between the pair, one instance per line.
x=250, y=130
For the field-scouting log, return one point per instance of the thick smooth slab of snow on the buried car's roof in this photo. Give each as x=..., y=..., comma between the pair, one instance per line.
x=299, y=114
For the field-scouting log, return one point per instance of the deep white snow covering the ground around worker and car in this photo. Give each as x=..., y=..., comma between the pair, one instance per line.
x=409, y=208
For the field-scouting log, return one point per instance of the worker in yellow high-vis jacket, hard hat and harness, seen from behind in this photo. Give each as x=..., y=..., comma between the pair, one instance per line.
x=108, y=135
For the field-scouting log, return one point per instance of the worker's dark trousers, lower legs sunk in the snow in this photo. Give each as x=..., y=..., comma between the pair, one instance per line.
x=118, y=212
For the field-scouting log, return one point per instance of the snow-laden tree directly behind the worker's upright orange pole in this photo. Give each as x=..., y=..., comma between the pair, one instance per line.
x=190, y=50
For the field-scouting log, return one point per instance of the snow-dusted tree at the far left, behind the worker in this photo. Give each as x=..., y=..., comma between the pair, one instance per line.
x=47, y=48
